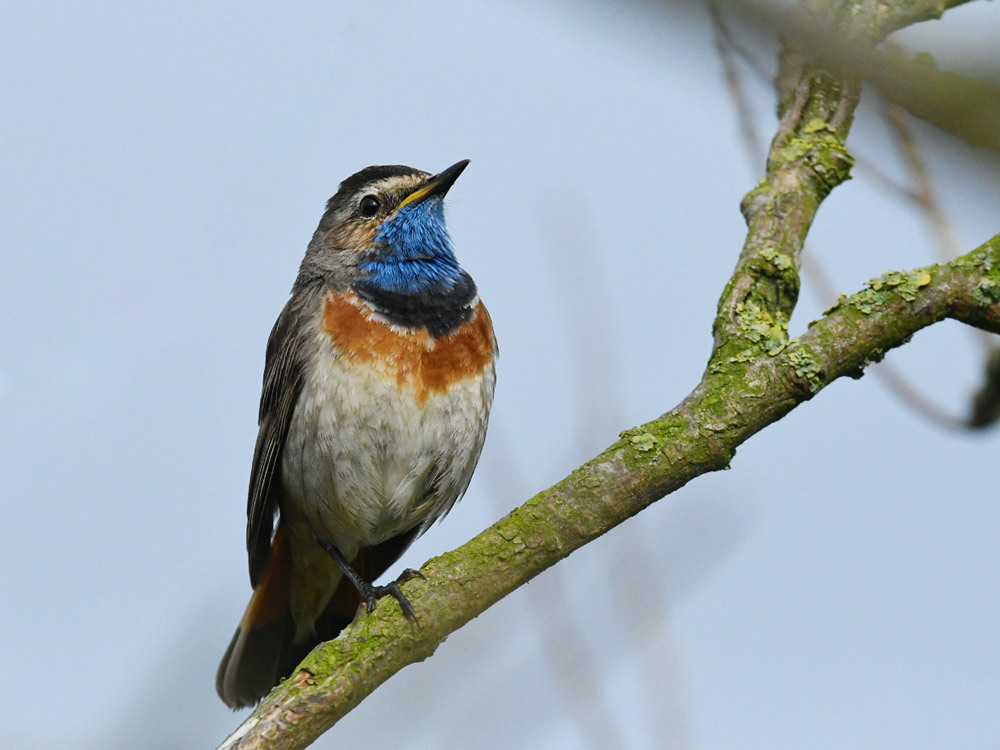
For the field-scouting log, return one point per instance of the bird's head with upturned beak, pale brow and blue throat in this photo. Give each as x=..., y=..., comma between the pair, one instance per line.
x=384, y=230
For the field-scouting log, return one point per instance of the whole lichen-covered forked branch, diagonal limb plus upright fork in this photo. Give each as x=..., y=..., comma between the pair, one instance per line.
x=755, y=376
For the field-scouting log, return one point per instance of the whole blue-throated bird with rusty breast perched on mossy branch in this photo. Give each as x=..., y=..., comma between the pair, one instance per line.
x=378, y=381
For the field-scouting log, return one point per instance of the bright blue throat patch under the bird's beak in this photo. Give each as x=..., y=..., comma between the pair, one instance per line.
x=414, y=253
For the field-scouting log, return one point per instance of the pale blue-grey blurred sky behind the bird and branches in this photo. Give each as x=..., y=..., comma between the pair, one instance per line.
x=163, y=168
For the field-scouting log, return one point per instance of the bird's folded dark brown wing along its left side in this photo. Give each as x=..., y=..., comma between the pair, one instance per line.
x=283, y=376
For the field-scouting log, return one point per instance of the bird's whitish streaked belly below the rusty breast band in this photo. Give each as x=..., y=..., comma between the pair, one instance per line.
x=365, y=460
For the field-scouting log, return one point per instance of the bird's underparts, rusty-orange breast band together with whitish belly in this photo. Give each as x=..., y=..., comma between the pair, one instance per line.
x=389, y=424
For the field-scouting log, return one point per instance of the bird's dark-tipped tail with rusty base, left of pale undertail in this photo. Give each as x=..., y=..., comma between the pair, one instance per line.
x=263, y=650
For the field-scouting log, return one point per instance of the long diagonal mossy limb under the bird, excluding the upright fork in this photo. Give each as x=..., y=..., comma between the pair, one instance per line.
x=700, y=435
